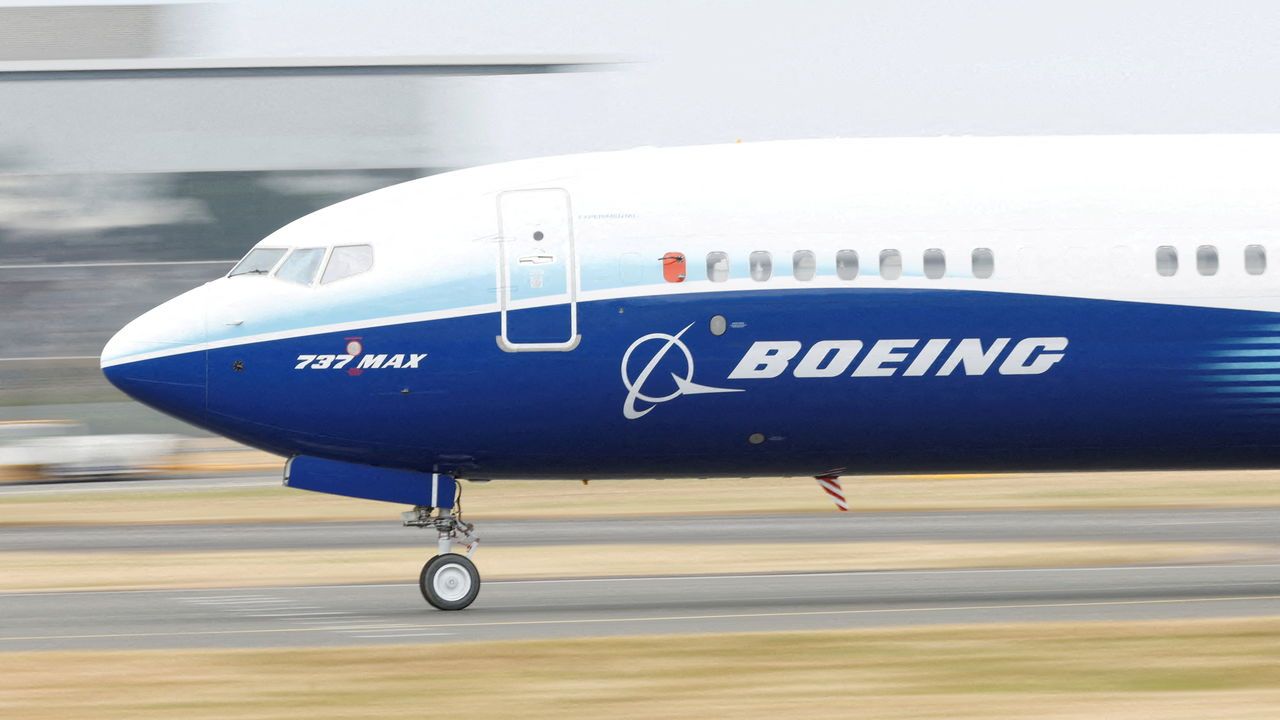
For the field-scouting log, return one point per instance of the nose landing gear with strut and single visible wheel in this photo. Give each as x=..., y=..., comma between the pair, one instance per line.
x=450, y=581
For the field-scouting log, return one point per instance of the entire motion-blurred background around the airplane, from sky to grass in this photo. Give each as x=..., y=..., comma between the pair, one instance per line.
x=145, y=147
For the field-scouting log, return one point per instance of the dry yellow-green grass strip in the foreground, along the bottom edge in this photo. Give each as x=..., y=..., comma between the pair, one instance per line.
x=1186, y=671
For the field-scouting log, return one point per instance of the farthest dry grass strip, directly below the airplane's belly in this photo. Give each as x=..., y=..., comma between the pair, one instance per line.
x=84, y=504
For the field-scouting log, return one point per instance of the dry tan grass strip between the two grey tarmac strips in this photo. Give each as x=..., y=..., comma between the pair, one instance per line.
x=31, y=572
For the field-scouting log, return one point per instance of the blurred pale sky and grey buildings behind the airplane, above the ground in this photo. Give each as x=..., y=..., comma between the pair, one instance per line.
x=134, y=174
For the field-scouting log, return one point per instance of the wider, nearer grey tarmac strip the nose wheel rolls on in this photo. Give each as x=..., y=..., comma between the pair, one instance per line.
x=342, y=616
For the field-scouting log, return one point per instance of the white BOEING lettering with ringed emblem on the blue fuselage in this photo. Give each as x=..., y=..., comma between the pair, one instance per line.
x=834, y=358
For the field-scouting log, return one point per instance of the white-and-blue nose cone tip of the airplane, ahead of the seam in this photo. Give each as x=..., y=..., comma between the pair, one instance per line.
x=159, y=358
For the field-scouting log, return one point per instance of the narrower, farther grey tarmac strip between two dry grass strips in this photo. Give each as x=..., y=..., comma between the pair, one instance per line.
x=1245, y=526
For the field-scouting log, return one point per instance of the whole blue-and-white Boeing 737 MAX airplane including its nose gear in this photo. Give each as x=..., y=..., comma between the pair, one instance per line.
x=775, y=309
